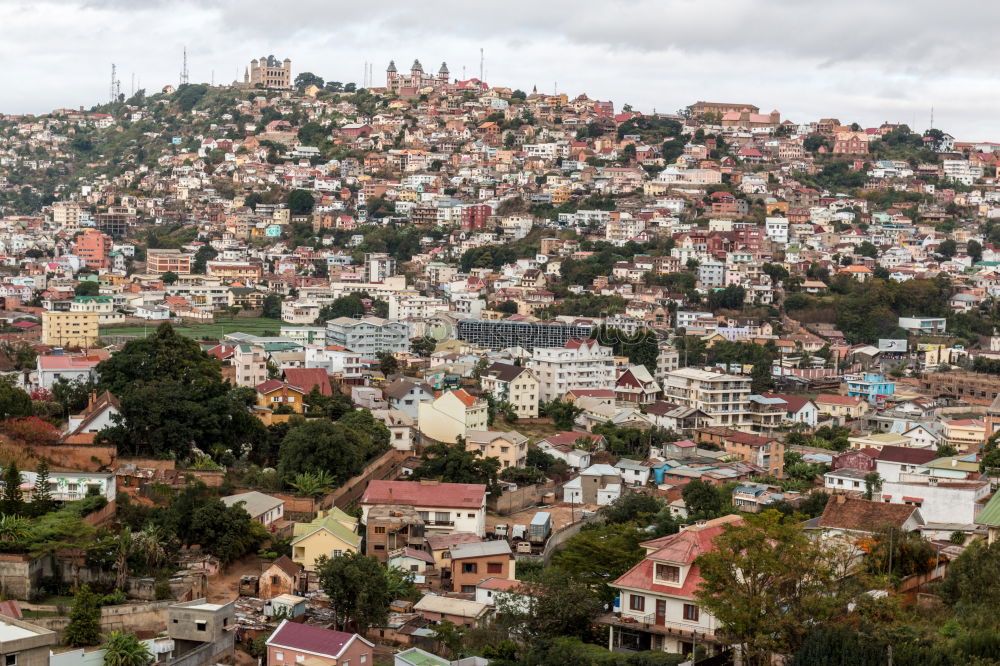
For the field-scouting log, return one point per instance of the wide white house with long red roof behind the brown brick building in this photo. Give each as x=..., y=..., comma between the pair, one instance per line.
x=444, y=507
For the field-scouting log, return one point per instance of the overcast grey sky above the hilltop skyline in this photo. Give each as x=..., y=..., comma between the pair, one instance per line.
x=858, y=61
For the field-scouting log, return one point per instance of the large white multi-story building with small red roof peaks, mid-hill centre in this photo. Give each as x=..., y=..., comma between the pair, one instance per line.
x=580, y=364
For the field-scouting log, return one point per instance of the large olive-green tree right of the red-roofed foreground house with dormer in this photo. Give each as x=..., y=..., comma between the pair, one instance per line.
x=768, y=584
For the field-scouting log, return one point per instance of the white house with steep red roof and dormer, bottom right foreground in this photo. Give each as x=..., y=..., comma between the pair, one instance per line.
x=657, y=607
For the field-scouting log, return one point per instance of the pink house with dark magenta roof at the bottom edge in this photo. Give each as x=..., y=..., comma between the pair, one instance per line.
x=293, y=643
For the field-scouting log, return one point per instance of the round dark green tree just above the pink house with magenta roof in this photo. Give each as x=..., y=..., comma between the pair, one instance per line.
x=357, y=588
